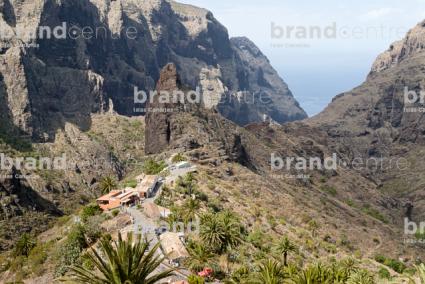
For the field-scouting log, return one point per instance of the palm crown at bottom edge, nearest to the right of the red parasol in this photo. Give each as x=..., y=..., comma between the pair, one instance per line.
x=270, y=272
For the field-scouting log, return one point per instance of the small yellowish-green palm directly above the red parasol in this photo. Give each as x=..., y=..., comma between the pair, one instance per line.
x=200, y=257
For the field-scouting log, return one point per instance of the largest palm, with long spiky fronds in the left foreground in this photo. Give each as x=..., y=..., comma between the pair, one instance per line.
x=124, y=264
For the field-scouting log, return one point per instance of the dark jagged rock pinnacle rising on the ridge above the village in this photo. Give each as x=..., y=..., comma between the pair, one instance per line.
x=186, y=126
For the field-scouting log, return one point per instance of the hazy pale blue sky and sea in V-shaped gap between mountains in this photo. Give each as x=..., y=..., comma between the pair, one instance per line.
x=358, y=31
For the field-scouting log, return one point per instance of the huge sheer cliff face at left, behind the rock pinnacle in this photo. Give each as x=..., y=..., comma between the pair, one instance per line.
x=107, y=49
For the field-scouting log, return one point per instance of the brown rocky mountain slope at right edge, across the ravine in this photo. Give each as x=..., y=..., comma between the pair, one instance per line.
x=376, y=120
